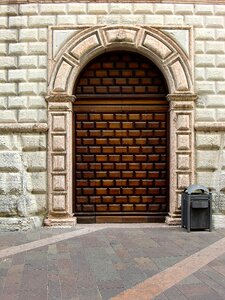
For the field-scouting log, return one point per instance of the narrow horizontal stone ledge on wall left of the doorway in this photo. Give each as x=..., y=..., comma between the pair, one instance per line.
x=23, y=127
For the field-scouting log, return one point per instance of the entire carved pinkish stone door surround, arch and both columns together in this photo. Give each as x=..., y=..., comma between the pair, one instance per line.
x=82, y=45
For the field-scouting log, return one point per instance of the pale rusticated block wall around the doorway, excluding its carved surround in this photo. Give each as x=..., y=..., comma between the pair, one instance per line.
x=23, y=86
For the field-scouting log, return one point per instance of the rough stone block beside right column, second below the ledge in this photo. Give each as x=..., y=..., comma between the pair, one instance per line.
x=207, y=160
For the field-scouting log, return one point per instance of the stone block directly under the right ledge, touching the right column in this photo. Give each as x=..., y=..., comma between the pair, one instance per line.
x=208, y=140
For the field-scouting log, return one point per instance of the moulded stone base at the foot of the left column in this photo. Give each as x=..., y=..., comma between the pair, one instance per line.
x=60, y=221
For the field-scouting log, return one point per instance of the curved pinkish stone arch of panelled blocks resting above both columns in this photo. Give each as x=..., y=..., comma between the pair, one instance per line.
x=149, y=41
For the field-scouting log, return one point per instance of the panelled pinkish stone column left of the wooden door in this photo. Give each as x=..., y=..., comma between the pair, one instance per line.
x=60, y=164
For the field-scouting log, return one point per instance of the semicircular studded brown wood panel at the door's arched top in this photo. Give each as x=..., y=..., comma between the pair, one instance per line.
x=120, y=73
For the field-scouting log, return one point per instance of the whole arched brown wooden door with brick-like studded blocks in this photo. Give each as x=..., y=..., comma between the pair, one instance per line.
x=121, y=141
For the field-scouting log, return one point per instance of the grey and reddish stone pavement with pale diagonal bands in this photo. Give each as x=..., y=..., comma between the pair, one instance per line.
x=95, y=262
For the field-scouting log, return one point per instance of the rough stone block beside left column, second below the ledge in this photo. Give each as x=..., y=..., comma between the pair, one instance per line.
x=35, y=161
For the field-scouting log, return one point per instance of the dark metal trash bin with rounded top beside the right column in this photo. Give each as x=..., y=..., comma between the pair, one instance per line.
x=196, y=208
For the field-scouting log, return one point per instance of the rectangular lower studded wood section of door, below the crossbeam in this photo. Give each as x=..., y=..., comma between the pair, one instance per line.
x=120, y=161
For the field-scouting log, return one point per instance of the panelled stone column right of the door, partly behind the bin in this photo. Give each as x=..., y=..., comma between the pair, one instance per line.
x=182, y=167
